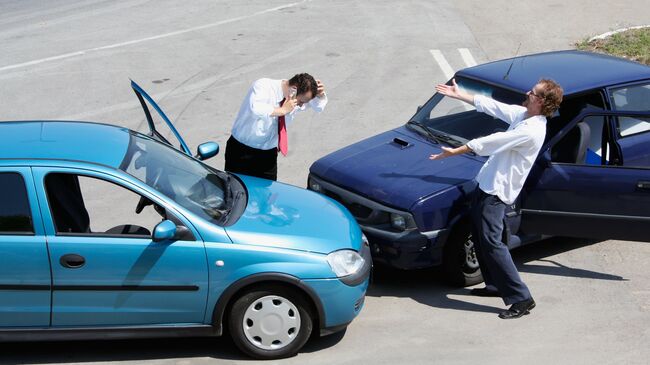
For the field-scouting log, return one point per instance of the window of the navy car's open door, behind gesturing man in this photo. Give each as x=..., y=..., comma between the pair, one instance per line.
x=585, y=144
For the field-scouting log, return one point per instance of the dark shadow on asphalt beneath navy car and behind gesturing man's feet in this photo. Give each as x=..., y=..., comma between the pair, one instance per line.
x=427, y=286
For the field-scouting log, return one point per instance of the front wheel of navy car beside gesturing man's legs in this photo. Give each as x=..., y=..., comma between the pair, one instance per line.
x=459, y=260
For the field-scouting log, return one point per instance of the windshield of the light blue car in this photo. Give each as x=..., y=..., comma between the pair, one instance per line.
x=190, y=183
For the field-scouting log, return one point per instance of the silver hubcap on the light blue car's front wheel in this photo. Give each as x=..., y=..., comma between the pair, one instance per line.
x=271, y=322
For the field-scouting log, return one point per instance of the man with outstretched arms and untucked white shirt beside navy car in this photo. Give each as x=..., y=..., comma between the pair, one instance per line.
x=512, y=154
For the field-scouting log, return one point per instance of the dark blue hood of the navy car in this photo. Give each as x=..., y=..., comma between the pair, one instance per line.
x=389, y=172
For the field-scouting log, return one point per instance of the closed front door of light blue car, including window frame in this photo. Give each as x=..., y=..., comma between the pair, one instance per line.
x=106, y=269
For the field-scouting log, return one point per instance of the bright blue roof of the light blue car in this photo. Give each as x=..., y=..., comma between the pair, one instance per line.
x=64, y=140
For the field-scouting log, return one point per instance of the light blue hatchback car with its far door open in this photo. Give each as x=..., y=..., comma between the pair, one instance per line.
x=107, y=233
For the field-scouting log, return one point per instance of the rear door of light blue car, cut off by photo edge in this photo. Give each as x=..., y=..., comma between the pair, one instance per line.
x=24, y=264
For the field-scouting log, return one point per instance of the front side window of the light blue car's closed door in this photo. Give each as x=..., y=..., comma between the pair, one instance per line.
x=87, y=205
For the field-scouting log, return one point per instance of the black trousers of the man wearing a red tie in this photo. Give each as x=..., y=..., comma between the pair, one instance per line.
x=245, y=160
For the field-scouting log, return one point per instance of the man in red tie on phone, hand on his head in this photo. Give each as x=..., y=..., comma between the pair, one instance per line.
x=259, y=132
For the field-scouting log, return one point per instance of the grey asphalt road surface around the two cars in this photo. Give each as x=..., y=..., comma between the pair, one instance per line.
x=379, y=60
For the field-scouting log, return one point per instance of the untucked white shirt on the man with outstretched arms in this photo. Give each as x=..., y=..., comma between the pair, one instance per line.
x=512, y=153
